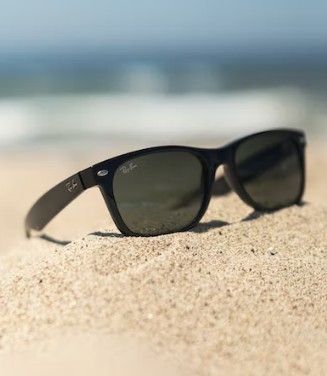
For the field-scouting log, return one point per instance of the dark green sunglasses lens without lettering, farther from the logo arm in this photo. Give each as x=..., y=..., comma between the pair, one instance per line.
x=269, y=168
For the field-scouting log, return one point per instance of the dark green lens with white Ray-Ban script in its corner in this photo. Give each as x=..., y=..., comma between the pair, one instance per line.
x=159, y=192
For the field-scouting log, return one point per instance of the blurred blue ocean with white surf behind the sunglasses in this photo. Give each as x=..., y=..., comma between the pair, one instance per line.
x=81, y=97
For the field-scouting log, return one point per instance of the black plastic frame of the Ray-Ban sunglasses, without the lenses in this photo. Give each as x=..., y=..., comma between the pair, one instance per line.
x=55, y=200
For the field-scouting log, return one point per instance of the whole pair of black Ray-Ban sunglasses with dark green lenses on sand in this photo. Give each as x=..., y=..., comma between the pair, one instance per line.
x=167, y=189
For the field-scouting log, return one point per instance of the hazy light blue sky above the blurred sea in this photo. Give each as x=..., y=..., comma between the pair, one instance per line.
x=84, y=23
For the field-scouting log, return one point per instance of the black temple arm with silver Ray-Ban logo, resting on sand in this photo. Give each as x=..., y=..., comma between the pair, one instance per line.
x=55, y=200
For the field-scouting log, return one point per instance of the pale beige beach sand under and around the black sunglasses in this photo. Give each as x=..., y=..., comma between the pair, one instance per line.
x=241, y=294
